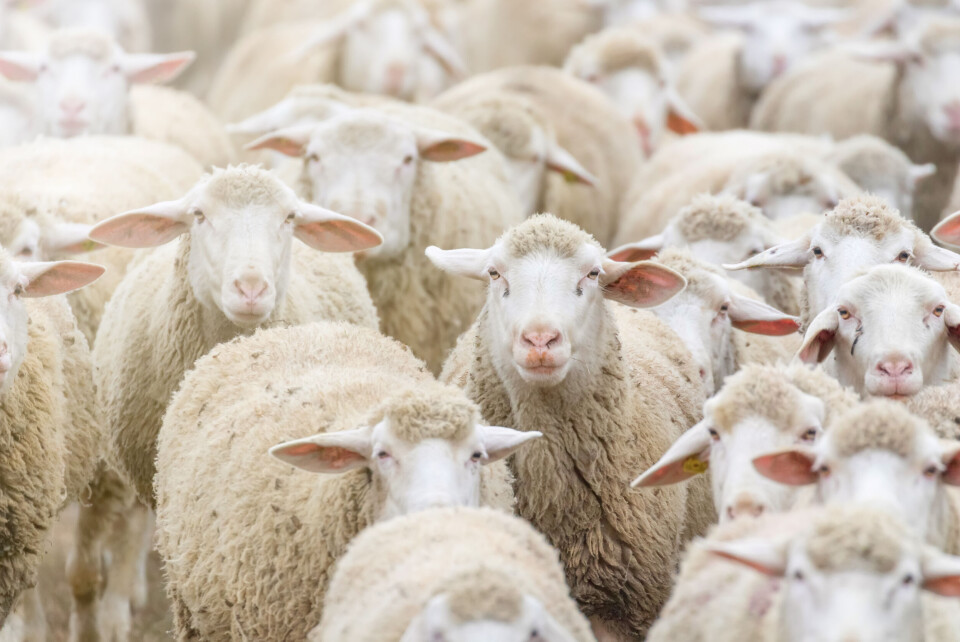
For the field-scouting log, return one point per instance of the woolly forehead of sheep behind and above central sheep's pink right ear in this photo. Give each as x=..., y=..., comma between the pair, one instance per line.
x=722, y=218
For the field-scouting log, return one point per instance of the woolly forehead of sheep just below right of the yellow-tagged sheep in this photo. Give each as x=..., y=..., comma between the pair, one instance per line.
x=877, y=425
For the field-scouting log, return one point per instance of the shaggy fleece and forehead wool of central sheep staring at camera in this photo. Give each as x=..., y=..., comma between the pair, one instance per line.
x=619, y=547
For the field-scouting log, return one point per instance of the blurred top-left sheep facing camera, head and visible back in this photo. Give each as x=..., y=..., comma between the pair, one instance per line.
x=83, y=84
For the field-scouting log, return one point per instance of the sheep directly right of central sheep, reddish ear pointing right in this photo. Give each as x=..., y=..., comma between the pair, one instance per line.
x=713, y=317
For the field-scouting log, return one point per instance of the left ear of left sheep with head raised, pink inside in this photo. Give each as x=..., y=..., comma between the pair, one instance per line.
x=149, y=227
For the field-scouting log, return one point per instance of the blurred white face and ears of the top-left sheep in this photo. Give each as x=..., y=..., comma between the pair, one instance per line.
x=83, y=79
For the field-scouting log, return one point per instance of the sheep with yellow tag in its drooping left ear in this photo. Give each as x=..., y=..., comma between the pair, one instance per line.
x=761, y=409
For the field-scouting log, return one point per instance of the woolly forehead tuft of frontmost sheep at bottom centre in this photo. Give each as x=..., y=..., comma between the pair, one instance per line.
x=483, y=593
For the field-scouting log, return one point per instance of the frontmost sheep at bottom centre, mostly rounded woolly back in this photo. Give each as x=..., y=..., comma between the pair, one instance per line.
x=460, y=573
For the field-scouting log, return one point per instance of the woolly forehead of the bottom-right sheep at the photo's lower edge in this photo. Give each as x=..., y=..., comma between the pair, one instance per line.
x=856, y=538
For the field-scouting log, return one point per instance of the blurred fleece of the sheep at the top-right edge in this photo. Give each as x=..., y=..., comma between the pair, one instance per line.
x=833, y=93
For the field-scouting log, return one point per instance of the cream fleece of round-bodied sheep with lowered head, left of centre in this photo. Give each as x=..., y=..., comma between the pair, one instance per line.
x=249, y=542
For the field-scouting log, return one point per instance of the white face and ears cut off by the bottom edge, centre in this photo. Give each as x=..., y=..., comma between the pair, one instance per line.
x=438, y=622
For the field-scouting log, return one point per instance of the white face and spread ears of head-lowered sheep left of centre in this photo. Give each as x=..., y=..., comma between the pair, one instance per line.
x=410, y=472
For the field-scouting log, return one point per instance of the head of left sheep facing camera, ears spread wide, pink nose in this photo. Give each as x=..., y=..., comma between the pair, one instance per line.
x=241, y=224
